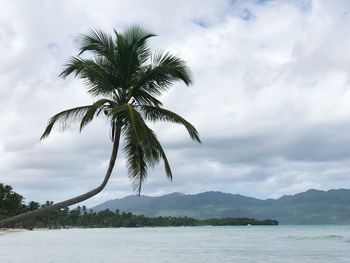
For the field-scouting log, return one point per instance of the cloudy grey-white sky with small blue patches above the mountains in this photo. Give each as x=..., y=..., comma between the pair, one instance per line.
x=270, y=99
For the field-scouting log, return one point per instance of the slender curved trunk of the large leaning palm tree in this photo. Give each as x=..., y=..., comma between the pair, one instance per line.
x=8, y=222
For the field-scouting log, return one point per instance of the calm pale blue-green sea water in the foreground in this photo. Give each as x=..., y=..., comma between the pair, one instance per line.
x=179, y=244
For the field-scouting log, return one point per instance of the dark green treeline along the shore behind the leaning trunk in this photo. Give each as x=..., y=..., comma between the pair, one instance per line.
x=12, y=203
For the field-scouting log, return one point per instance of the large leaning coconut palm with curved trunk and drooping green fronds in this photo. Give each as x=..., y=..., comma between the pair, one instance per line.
x=126, y=78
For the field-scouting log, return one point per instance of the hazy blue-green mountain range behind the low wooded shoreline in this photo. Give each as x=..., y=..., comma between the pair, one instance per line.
x=310, y=207
